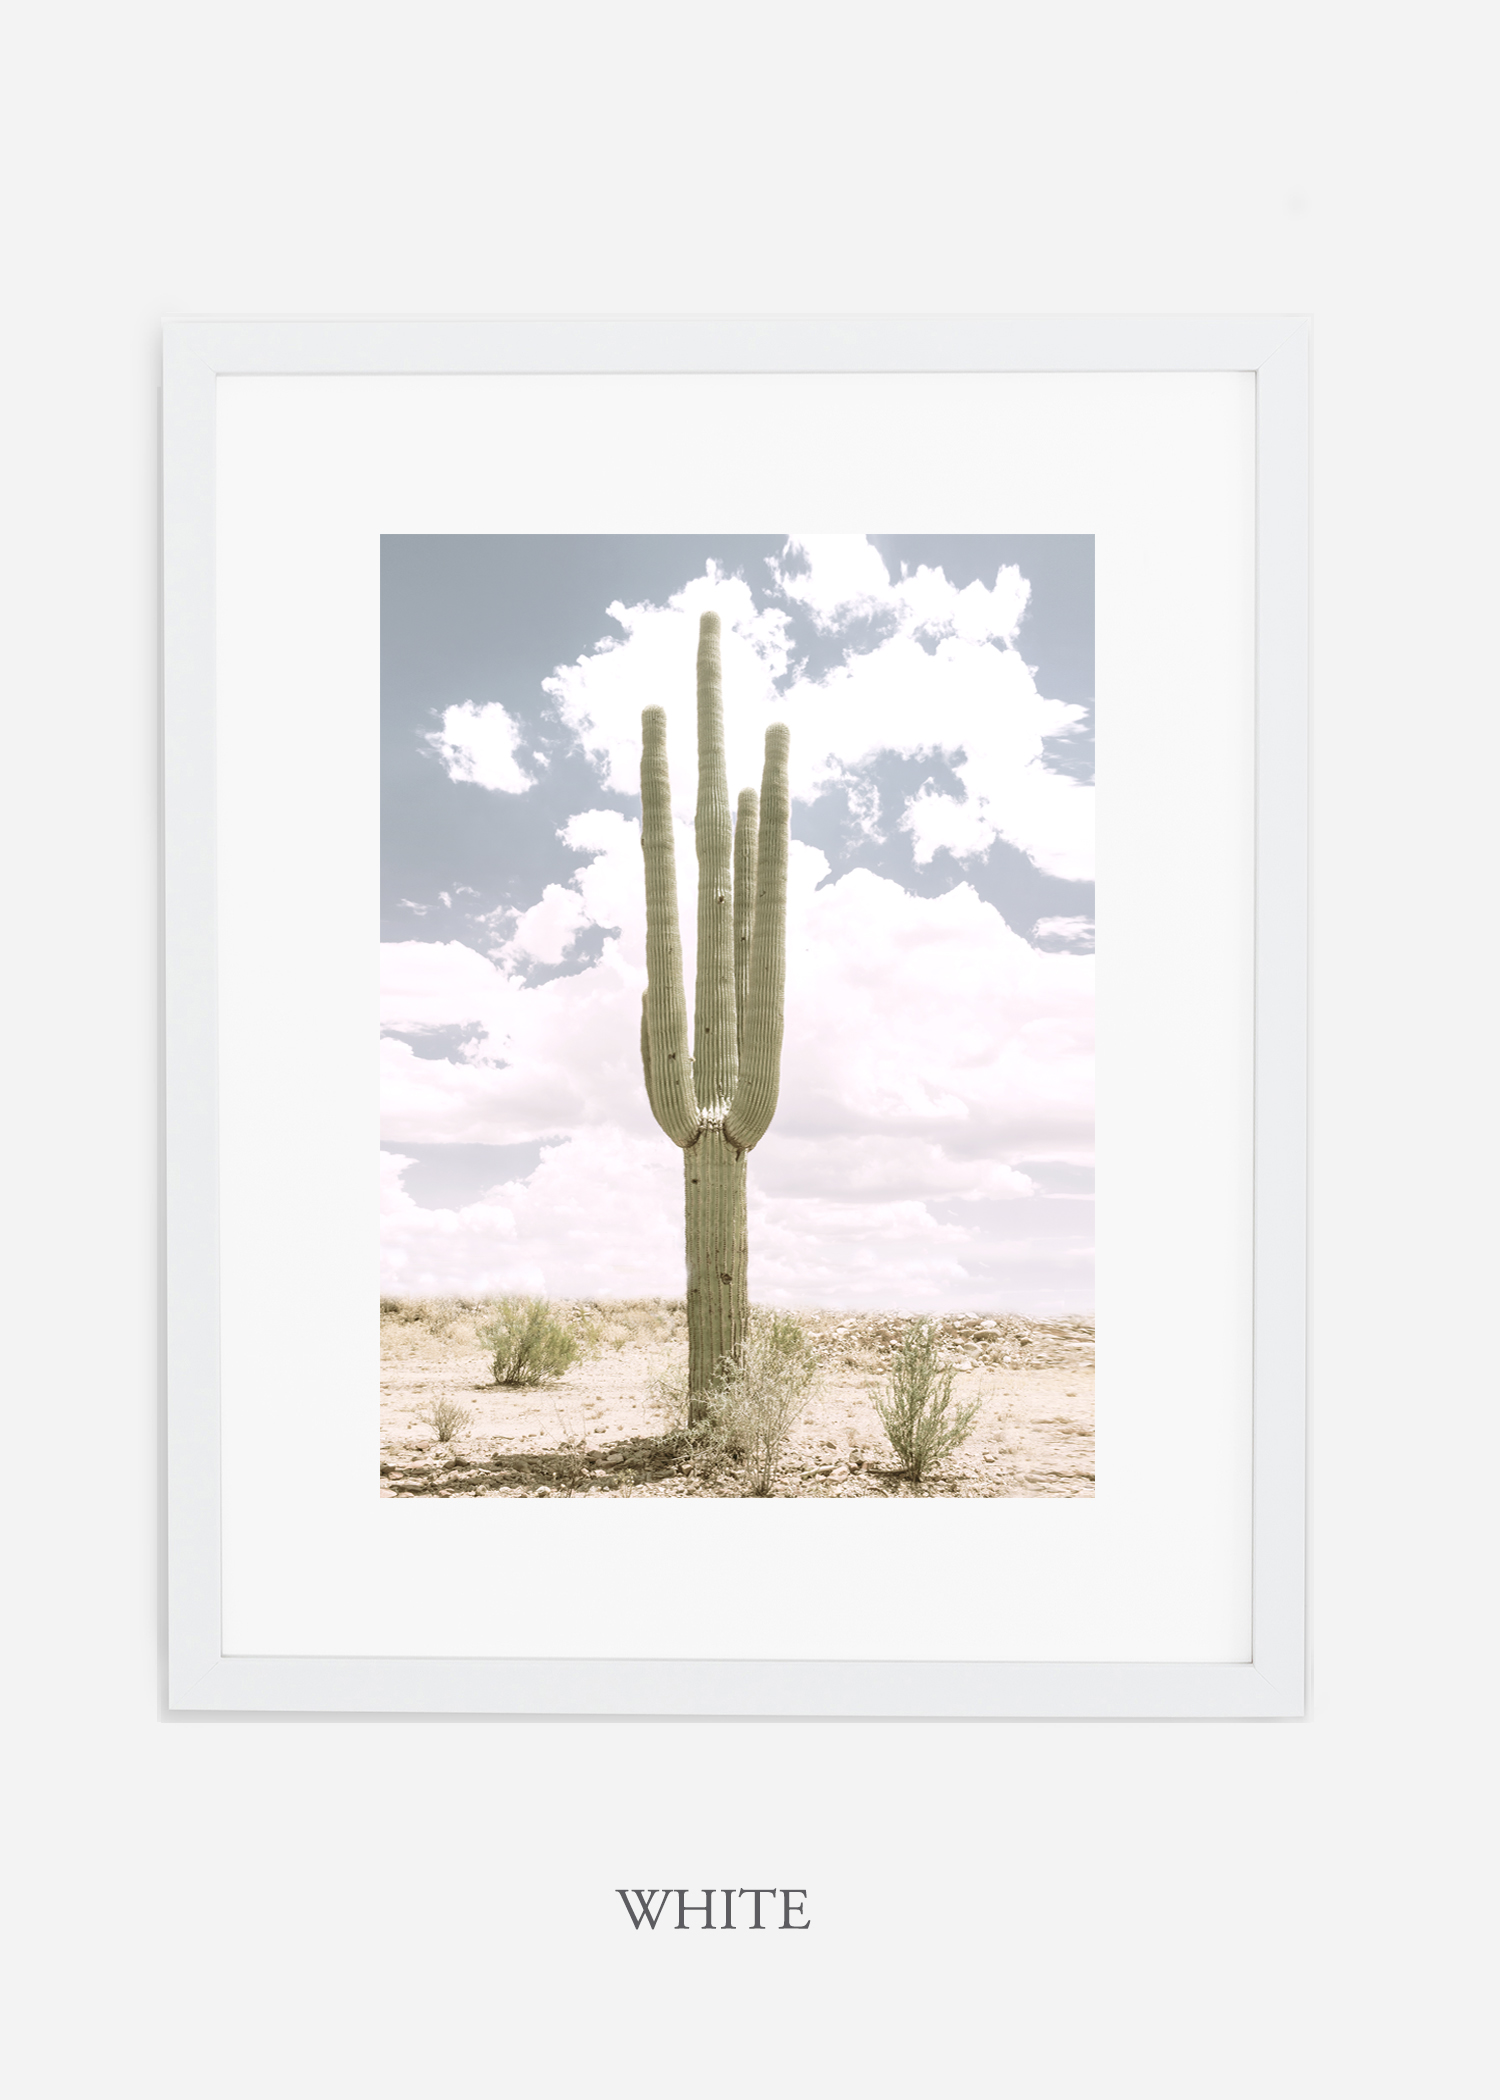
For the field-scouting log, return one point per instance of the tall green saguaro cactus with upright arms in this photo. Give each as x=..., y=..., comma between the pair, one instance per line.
x=715, y=1097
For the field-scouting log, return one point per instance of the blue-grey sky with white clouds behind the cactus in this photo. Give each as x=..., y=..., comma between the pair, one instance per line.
x=934, y=1141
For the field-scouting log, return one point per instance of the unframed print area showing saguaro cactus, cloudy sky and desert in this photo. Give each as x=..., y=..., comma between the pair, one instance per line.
x=839, y=1242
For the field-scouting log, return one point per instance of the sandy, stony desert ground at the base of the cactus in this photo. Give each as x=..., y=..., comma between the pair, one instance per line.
x=604, y=1429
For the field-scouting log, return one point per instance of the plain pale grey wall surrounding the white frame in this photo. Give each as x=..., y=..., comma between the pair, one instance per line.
x=247, y=1908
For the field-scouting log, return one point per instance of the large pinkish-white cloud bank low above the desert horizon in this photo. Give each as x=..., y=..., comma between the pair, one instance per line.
x=930, y=1055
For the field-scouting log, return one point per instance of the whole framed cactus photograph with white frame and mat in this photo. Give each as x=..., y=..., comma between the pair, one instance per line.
x=736, y=919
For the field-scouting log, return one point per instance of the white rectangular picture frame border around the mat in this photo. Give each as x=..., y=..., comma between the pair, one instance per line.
x=201, y=1675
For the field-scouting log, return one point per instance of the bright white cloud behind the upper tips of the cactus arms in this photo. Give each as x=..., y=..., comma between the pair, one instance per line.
x=944, y=677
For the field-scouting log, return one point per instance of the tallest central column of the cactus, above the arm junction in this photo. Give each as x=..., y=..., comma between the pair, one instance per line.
x=715, y=1057
